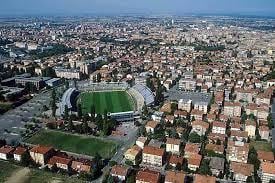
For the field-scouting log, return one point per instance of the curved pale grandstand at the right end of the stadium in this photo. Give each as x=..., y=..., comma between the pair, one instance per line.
x=146, y=93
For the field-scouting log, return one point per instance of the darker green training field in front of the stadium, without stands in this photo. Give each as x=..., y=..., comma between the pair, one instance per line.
x=74, y=143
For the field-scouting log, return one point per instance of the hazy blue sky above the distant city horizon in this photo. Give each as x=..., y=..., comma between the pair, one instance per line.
x=28, y=7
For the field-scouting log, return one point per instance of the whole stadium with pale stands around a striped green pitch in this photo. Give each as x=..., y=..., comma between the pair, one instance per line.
x=118, y=99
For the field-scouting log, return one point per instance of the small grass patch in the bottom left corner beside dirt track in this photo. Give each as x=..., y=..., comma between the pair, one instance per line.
x=6, y=169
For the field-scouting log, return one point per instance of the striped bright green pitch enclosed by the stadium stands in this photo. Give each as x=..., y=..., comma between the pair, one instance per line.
x=112, y=101
